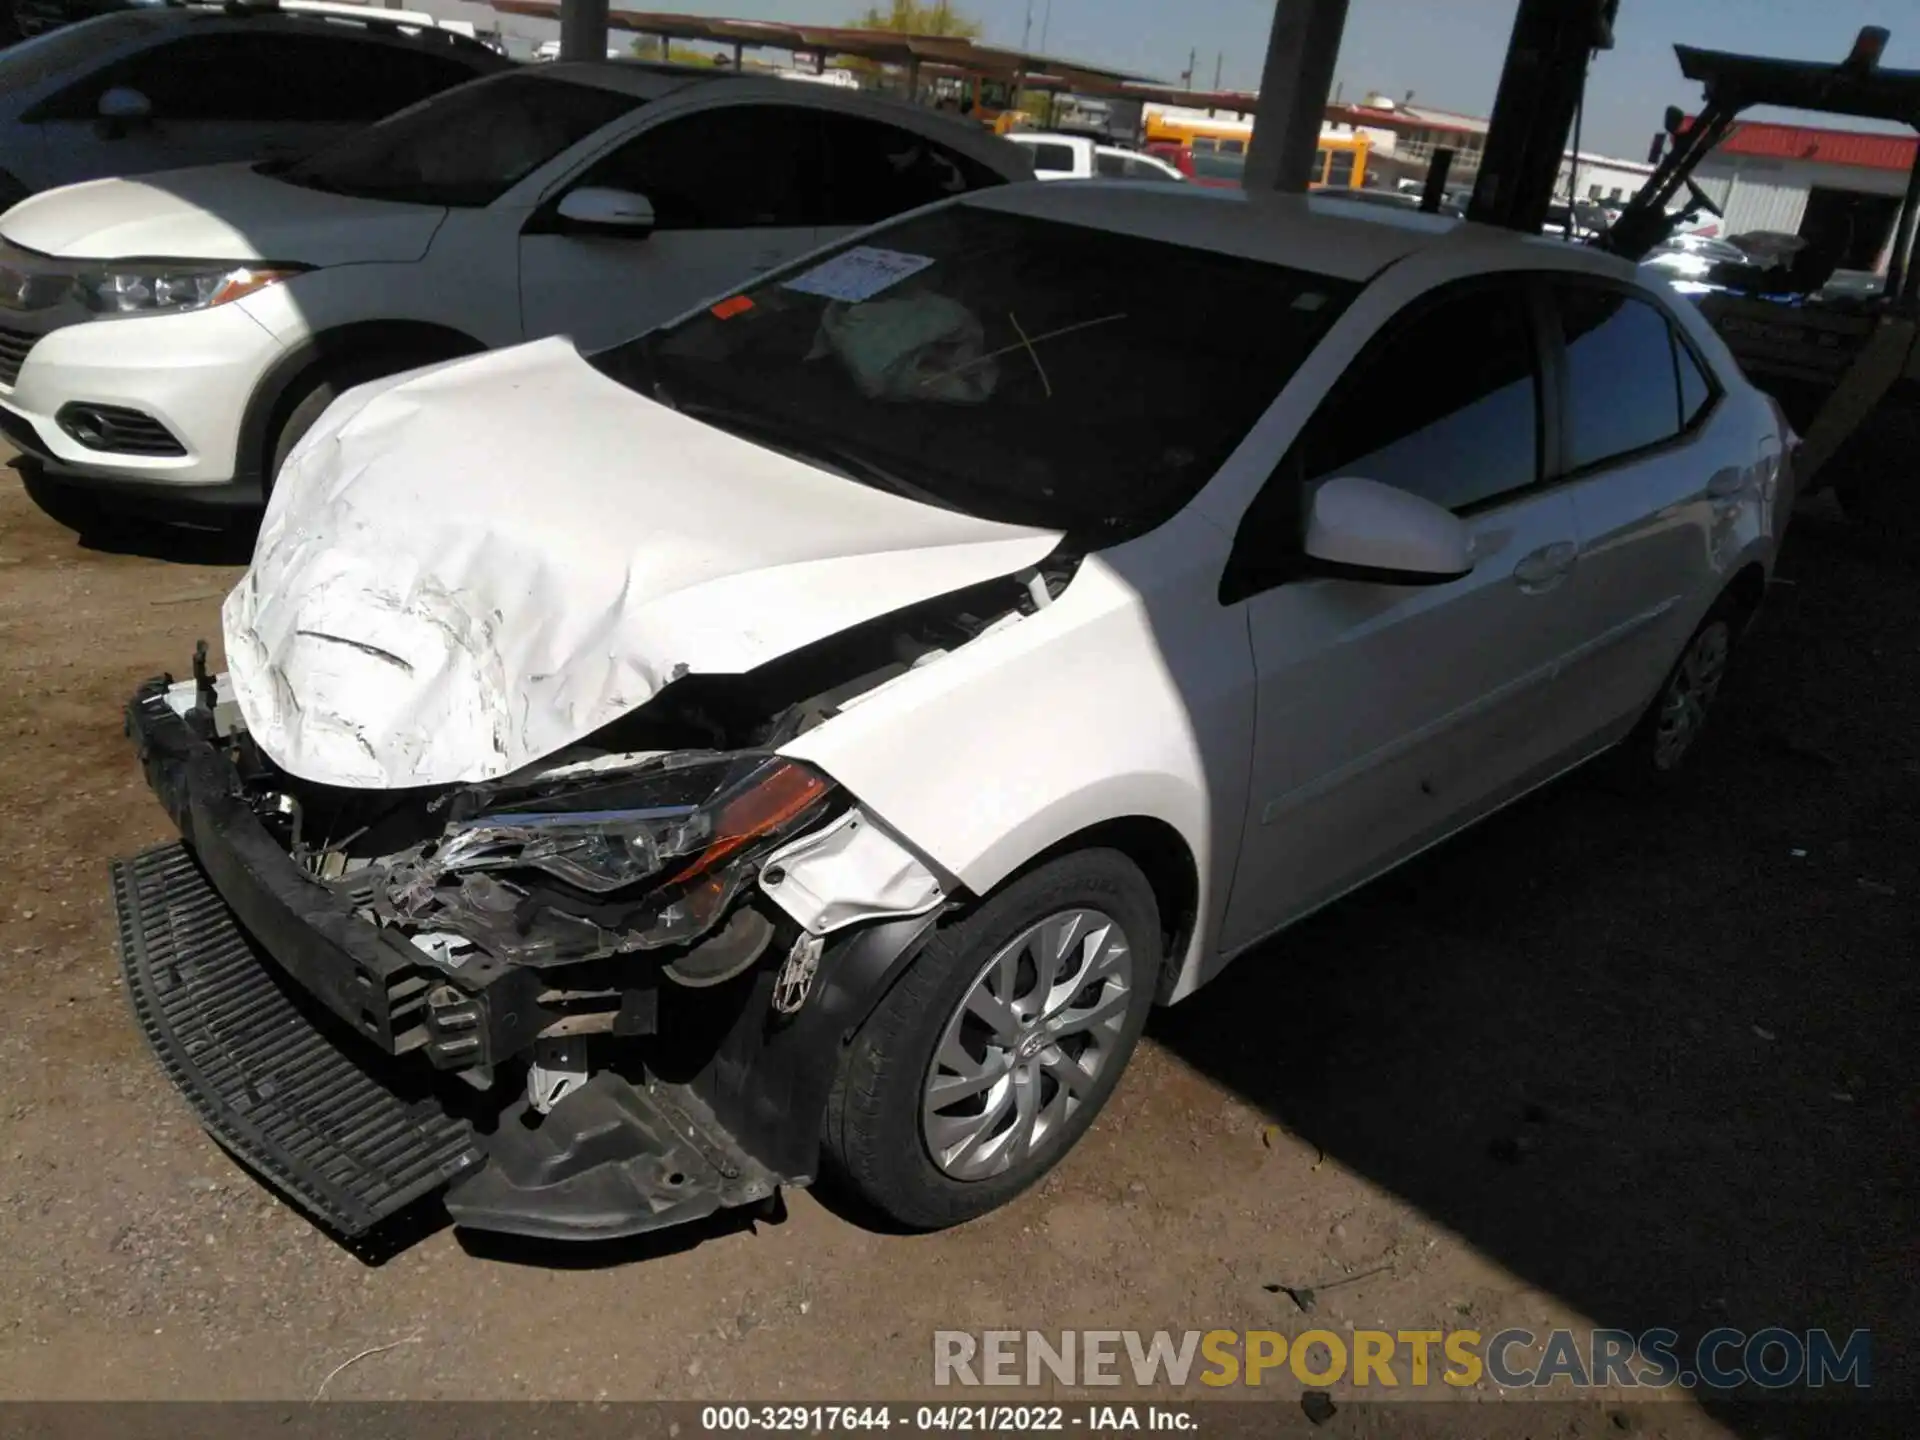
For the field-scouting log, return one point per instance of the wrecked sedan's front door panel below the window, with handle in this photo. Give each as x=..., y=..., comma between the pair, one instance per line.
x=1389, y=715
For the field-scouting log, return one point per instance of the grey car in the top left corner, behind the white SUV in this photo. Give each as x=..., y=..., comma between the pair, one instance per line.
x=193, y=85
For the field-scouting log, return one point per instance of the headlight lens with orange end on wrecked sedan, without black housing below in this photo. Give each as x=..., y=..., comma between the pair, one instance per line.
x=600, y=846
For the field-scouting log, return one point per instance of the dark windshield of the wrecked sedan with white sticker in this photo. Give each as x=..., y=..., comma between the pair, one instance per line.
x=1003, y=366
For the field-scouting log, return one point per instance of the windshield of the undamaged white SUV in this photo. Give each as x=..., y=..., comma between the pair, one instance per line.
x=466, y=147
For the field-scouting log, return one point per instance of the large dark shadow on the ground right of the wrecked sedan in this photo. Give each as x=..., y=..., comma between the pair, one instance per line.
x=1654, y=1053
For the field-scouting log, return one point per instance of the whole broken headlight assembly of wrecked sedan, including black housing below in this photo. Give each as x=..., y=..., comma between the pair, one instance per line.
x=575, y=869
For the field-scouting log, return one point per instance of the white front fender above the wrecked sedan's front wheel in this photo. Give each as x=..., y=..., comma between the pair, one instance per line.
x=1132, y=696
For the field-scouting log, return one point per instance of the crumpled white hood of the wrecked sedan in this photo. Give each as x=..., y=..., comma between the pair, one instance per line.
x=471, y=567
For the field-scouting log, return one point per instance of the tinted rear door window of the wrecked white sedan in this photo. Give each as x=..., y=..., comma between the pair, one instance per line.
x=1623, y=393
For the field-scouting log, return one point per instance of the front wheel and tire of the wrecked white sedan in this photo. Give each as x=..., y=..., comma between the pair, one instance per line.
x=999, y=1045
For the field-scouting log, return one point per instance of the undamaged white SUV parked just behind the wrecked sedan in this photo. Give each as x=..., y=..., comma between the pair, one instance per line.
x=590, y=201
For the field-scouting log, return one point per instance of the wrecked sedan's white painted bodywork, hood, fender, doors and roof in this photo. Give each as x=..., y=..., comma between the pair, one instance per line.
x=1297, y=742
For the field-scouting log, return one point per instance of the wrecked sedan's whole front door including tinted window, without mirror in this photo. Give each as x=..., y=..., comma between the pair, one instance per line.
x=1391, y=715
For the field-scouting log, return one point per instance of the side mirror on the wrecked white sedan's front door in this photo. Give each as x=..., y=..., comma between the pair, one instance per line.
x=1366, y=531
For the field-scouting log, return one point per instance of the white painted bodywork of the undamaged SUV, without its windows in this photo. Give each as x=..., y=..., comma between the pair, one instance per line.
x=492, y=276
